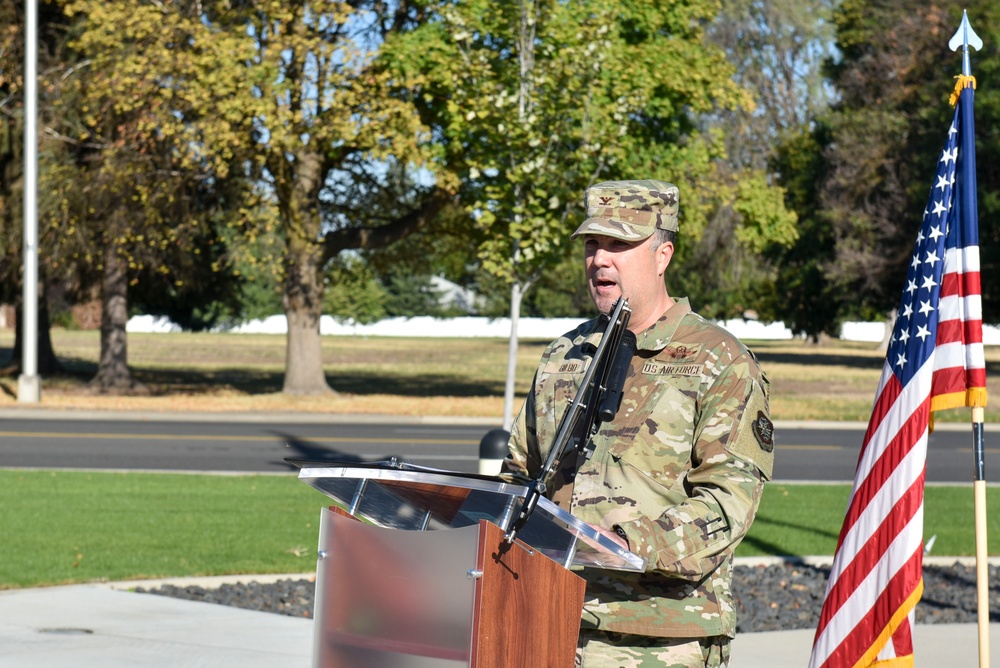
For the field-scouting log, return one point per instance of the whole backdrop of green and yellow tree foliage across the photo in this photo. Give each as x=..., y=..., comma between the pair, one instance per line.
x=230, y=152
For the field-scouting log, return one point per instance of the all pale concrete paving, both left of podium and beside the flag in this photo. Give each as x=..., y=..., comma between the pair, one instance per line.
x=106, y=626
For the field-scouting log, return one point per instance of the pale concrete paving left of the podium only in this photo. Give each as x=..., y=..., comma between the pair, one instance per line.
x=97, y=626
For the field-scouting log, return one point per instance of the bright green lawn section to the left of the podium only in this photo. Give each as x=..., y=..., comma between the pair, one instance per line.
x=61, y=526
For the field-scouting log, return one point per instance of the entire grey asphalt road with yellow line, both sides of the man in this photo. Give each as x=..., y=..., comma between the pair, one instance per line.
x=824, y=452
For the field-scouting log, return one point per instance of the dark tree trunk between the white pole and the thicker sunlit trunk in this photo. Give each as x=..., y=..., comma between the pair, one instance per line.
x=113, y=375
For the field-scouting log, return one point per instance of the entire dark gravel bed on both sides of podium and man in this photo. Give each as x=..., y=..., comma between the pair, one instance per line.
x=768, y=598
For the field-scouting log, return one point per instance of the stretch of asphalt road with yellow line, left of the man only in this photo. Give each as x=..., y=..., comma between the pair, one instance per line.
x=233, y=443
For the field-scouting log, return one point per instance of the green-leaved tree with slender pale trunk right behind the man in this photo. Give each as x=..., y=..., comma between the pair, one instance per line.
x=536, y=100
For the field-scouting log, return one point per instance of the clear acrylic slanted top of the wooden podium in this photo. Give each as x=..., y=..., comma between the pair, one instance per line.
x=399, y=495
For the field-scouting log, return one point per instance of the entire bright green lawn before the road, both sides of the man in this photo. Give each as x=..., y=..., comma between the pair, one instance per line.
x=61, y=526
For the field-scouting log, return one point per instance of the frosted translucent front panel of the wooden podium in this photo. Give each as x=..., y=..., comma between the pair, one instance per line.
x=393, y=599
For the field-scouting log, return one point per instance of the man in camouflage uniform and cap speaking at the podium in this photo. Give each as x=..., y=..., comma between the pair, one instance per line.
x=677, y=475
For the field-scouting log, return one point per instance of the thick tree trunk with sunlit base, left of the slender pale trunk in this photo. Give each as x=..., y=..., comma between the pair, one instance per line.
x=303, y=304
